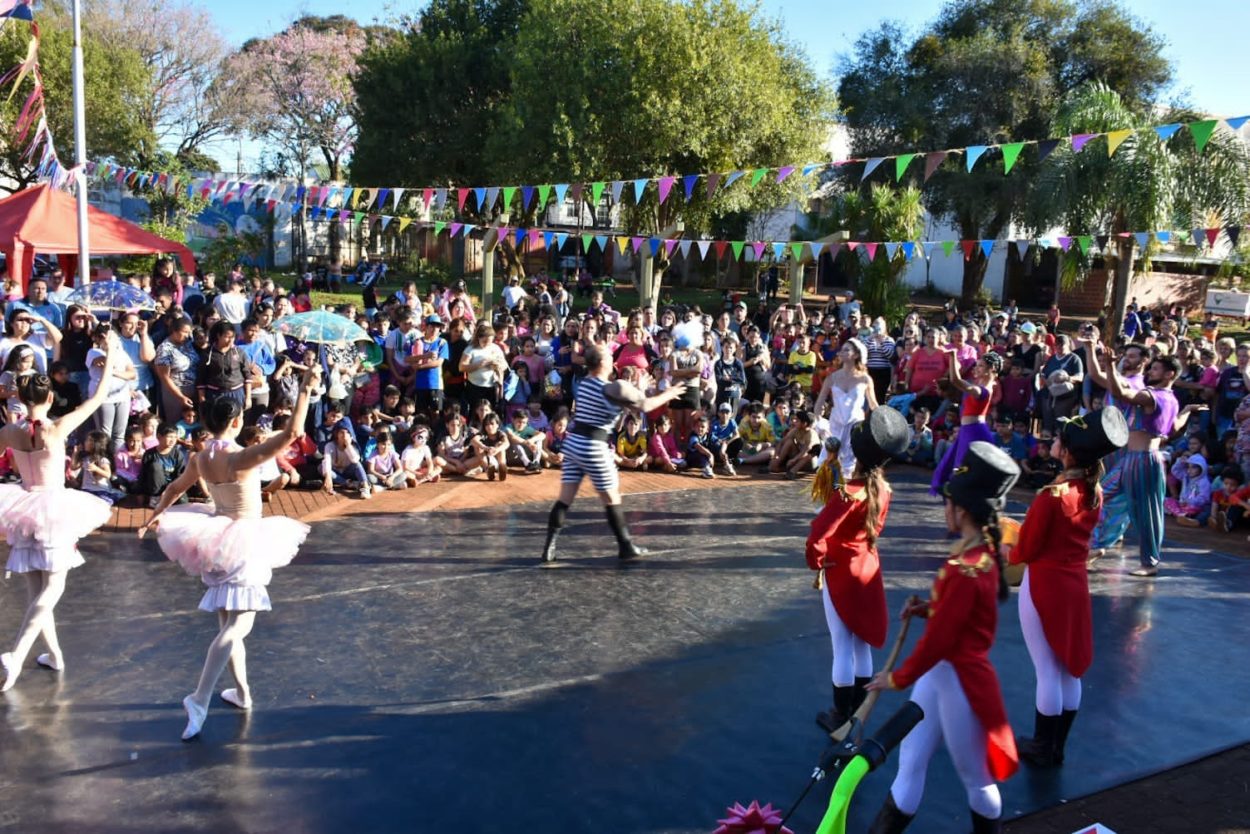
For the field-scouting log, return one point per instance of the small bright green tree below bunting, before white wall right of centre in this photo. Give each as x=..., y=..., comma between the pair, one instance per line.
x=884, y=213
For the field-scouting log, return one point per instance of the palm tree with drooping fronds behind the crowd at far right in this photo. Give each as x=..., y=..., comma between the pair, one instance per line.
x=1146, y=186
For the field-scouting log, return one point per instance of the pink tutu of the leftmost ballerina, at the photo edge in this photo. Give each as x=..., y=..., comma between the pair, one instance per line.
x=44, y=527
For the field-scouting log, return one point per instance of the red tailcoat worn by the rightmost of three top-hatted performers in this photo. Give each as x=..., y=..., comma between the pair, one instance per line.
x=1054, y=545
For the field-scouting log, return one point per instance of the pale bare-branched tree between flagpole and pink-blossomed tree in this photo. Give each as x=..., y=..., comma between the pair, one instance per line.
x=187, y=103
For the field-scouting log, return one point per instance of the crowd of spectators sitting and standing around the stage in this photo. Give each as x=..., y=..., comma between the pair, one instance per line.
x=446, y=389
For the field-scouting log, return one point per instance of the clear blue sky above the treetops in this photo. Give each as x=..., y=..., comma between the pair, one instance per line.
x=1207, y=49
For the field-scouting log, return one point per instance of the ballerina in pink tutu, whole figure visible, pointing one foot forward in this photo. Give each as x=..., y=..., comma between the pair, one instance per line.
x=229, y=546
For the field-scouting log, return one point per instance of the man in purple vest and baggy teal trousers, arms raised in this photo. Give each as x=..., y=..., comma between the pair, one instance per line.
x=1137, y=486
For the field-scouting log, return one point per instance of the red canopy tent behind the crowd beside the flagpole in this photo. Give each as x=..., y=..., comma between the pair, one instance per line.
x=41, y=219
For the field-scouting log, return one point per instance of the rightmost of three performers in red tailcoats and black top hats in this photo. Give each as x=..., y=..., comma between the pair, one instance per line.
x=1056, y=595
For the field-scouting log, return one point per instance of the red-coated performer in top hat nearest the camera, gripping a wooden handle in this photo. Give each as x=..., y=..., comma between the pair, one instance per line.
x=956, y=683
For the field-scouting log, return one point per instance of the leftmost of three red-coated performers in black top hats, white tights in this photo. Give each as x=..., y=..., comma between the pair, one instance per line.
x=843, y=547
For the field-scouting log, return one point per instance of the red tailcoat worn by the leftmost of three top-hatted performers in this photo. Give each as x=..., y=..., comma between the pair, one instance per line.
x=838, y=545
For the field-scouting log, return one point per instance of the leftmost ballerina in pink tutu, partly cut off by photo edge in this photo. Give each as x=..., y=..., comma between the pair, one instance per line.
x=42, y=520
